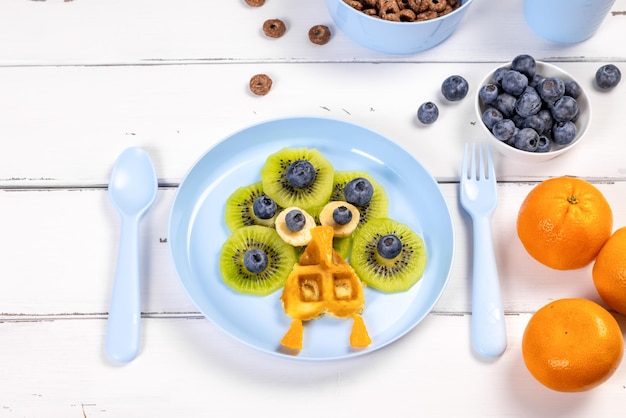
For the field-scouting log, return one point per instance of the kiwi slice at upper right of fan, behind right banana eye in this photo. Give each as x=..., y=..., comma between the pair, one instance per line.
x=376, y=207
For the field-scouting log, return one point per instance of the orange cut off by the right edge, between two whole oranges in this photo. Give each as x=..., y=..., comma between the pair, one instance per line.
x=609, y=271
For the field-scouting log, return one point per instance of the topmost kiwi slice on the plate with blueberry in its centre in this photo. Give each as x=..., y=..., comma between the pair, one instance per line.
x=300, y=177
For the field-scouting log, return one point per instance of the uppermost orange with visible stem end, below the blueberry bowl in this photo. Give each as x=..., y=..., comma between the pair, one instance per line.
x=563, y=222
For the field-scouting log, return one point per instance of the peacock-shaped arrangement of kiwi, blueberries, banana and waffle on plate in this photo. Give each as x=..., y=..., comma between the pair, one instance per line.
x=321, y=235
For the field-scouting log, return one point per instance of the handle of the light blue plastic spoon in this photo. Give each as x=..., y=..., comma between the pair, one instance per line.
x=124, y=322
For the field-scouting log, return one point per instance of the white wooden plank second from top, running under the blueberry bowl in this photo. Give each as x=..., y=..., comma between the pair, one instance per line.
x=72, y=122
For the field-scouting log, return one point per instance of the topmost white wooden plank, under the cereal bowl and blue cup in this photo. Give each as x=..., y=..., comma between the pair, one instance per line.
x=79, y=32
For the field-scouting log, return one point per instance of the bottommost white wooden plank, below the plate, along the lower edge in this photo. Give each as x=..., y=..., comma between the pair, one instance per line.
x=188, y=368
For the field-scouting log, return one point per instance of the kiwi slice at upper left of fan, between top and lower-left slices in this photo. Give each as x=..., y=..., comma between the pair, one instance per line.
x=248, y=205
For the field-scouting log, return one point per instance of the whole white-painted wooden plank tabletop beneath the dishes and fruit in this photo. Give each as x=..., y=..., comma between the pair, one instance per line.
x=82, y=80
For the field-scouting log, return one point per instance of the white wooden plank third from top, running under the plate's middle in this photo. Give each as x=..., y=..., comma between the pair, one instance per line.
x=59, y=249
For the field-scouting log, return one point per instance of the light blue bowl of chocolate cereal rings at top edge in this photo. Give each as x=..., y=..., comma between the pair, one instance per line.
x=394, y=37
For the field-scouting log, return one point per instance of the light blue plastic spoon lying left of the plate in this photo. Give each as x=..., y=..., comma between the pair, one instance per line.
x=132, y=189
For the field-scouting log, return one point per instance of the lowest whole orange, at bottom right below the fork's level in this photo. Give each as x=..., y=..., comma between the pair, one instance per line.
x=572, y=345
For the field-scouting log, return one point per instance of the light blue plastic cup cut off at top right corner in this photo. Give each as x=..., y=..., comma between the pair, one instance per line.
x=566, y=21
